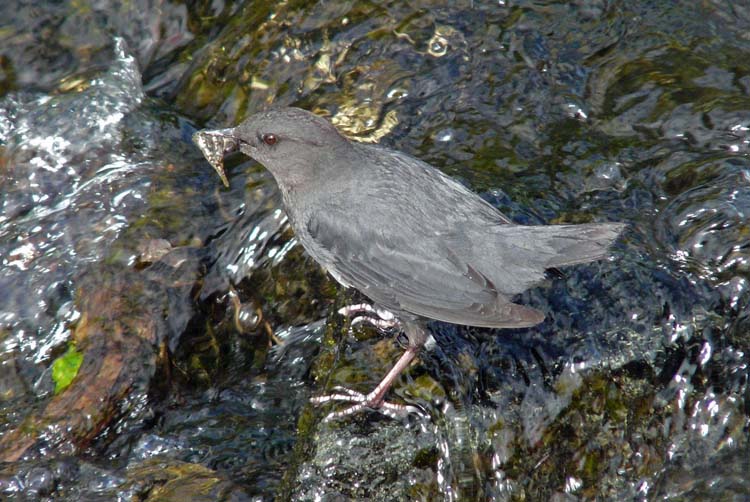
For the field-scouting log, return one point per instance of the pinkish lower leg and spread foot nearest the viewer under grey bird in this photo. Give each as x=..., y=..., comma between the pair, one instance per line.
x=375, y=400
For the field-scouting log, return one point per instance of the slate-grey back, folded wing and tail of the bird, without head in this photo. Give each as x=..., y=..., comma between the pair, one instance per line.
x=415, y=240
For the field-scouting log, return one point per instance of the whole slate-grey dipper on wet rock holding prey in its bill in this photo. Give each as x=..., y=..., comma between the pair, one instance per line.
x=417, y=243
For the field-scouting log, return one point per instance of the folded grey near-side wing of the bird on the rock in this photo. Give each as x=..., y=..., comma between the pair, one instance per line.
x=413, y=273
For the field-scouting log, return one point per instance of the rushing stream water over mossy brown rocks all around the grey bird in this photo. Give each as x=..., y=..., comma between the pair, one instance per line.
x=204, y=328
